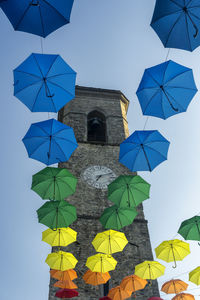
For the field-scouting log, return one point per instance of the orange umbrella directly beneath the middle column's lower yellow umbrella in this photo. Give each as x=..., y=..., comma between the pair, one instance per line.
x=96, y=278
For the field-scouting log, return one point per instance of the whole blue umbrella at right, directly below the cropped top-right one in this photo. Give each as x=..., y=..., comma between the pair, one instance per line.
x=166, y=89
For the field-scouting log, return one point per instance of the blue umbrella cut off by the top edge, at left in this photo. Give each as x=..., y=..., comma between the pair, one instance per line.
x=40, y=17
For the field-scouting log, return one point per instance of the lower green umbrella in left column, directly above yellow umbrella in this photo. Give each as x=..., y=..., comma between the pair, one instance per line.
x=57, y=214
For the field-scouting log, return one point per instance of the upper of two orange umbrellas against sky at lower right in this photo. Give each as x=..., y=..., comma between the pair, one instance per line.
x=174, y=286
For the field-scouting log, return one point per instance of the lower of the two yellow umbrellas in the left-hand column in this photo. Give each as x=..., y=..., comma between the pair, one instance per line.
x=61, y=261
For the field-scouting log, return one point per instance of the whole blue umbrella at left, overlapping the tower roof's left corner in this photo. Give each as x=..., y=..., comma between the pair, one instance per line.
x=44, y=82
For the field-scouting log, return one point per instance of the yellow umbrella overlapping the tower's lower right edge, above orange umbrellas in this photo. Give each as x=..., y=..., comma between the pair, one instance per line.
x=149, y=270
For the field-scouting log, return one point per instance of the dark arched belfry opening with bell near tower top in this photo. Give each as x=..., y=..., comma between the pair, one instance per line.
x=96, y=123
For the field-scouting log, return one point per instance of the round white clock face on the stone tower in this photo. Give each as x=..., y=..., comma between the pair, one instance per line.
x=99, y=176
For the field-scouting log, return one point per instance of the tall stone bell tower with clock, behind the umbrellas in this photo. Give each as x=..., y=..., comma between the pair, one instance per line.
x=99, y=120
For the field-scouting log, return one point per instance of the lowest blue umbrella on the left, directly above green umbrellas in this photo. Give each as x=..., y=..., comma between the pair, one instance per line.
x=50, y=142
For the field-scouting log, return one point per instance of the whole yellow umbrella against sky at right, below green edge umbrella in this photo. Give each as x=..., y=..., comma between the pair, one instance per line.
x=172, y=250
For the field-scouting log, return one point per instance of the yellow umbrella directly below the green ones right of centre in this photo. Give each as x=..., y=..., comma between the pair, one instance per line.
x=110, y=241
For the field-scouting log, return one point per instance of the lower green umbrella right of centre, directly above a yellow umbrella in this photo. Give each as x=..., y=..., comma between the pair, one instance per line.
x=115, y=217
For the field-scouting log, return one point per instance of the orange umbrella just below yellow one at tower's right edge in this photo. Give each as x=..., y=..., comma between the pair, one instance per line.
x=133, y=283
